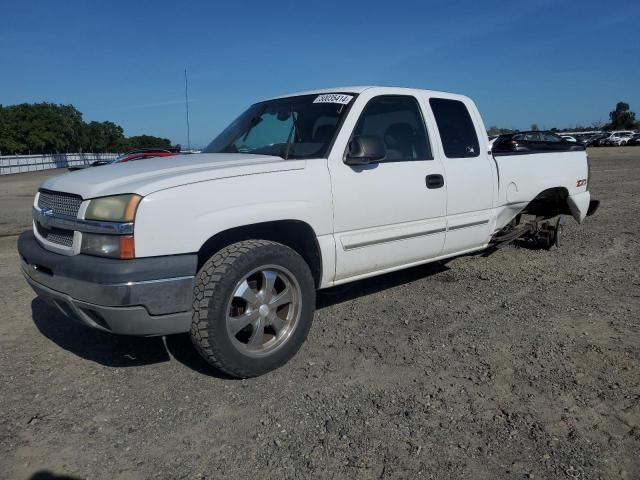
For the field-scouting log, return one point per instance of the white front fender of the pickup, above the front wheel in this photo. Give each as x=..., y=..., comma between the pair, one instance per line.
x=181, y=219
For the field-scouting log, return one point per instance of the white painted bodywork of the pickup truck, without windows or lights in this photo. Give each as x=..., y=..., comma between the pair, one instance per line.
x=368, y=220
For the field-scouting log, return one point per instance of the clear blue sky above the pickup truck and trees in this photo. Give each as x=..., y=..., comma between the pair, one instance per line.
x=555, y=63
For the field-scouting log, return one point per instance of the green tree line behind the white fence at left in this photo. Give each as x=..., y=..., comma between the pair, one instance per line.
x=49, y=128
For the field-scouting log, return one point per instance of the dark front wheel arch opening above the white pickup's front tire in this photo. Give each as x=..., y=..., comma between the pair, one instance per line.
x=295, y=234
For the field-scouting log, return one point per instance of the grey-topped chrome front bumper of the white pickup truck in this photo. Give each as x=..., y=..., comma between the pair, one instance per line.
x=85, y=290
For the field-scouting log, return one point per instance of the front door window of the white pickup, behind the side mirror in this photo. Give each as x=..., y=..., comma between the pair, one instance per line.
x=397, y=121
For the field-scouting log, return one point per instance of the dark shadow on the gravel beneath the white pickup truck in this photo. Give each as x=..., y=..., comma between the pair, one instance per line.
x=120, y=351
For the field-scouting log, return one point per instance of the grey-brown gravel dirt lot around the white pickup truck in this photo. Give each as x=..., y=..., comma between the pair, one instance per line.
x=522, y=364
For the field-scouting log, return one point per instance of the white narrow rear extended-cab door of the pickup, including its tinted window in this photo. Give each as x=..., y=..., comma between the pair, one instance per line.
x=469, y=171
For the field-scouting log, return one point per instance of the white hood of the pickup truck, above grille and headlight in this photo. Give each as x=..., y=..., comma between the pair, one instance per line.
x=147, y=176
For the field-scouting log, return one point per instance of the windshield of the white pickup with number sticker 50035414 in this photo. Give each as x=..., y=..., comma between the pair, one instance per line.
x=292, y=127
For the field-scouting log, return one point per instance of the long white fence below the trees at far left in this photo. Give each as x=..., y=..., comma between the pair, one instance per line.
x=31, y=163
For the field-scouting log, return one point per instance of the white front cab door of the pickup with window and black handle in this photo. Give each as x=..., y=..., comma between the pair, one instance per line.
x=389, y=213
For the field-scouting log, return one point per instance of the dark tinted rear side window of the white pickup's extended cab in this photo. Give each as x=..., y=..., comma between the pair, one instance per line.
x=457, y=131
